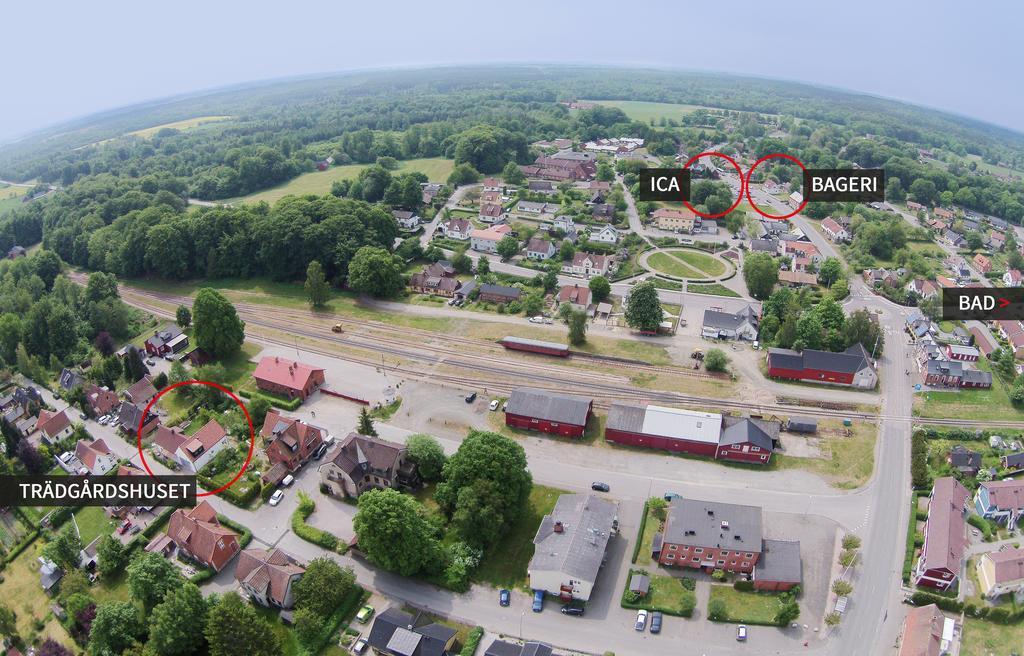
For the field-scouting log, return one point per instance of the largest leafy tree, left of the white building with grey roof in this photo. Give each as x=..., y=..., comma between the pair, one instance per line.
x=486, y=487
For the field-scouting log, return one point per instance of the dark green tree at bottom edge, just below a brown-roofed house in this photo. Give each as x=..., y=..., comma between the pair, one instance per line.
x=234, y=629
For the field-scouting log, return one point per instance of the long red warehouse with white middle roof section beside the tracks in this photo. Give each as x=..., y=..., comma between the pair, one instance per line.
x=729, y=439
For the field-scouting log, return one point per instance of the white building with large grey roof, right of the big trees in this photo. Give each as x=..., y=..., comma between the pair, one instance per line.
x=570, y=546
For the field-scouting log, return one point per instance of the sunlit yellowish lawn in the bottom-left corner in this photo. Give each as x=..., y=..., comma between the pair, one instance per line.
x=23, y=594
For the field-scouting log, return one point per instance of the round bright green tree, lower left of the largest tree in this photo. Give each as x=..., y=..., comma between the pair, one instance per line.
x=394, y=532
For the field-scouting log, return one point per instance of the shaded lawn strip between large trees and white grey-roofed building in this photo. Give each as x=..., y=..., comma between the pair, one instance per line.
x=505, y=564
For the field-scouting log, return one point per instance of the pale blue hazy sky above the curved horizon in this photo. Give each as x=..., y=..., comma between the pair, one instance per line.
x=67, y=60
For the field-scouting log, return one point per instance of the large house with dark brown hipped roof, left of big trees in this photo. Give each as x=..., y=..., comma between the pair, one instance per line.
x=361, y=463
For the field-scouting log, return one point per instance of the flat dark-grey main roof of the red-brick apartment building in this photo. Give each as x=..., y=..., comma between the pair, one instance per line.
x=712, y=524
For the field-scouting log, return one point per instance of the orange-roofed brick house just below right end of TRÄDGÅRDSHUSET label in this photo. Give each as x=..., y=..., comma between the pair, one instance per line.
x=198, y=536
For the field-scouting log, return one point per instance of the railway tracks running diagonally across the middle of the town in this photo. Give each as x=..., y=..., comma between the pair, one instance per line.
x=498, y=377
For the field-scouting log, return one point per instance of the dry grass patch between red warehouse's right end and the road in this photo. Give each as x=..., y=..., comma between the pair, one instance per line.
x=848, y=461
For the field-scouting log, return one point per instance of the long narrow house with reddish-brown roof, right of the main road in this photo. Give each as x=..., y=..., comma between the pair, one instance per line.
x=946, y=536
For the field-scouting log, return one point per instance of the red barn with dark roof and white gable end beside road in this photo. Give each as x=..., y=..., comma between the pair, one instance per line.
x=851, y=368
